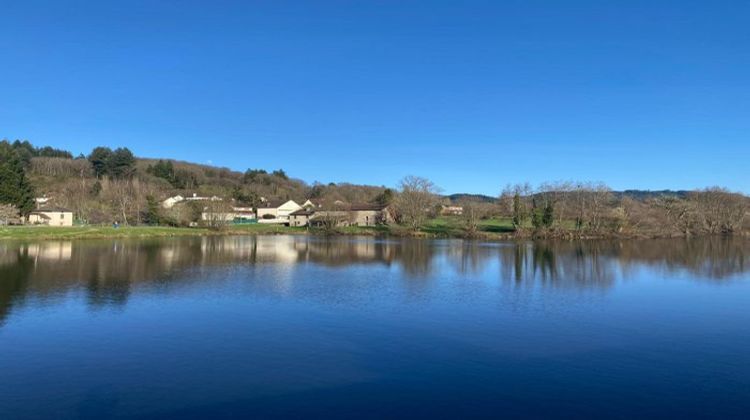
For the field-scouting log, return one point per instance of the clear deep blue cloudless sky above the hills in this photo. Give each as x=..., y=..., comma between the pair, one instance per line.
x=472, y=94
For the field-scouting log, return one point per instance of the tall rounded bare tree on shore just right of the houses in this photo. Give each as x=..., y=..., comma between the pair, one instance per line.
x=417, y=198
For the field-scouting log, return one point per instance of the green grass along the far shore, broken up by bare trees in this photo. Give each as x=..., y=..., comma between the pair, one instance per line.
x=439, y=227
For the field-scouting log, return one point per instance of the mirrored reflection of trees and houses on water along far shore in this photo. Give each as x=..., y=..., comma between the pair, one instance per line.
x=108, y=271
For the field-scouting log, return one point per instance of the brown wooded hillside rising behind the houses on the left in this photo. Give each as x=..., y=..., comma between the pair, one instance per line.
x=112, y=185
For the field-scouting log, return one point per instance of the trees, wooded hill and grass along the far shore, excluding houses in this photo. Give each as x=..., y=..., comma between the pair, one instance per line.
x=113, y=185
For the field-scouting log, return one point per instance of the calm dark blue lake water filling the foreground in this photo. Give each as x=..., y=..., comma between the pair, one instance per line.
x=297, y=326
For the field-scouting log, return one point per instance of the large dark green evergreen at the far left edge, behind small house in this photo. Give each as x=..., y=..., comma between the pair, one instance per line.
x=14, y=187
